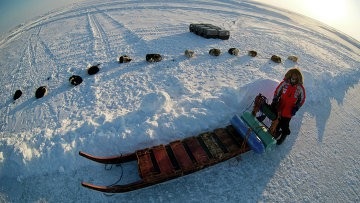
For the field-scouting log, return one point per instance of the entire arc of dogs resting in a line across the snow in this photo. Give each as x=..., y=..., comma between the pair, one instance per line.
x=93, y=69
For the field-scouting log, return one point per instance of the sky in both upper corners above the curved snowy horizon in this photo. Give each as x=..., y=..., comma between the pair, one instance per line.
x=343, y=15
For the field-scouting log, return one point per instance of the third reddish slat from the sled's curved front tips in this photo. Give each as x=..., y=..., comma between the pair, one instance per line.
x=181, y=155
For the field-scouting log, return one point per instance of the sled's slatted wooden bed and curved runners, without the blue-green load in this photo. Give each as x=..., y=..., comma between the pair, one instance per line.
x=178, y=158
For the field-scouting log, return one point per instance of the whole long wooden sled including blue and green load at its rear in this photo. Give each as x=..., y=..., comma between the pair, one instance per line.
x=181, y=157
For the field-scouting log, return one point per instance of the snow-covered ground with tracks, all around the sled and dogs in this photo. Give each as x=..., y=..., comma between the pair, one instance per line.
x=130, y=106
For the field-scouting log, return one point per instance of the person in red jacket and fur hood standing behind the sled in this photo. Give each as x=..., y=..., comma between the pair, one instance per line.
x=289, y=96
